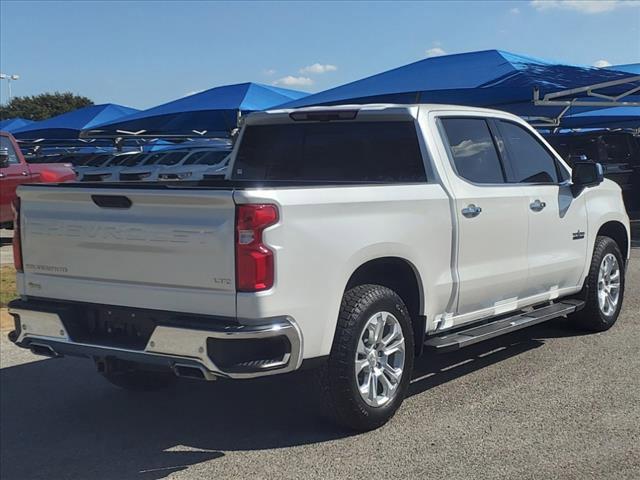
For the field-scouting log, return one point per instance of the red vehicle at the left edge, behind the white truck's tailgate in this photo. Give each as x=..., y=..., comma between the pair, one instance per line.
x=14, y=170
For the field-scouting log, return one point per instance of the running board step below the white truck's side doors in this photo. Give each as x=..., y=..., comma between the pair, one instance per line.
x=478, y=333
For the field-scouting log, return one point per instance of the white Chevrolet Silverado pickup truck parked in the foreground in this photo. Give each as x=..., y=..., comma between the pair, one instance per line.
x=347, y=238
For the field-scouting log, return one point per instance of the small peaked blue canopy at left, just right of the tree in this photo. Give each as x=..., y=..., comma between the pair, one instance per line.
x=68, y=126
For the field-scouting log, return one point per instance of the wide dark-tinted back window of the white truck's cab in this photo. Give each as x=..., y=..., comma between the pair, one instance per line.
x=377, y=152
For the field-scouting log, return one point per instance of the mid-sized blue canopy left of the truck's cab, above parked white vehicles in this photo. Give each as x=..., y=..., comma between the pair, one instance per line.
x=213, y=112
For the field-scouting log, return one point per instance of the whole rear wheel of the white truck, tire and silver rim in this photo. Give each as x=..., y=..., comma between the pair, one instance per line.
x=371, y=360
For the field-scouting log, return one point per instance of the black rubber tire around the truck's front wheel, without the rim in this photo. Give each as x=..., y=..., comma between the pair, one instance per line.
x=591, y=317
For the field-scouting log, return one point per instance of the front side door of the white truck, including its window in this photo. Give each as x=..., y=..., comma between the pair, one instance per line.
x=557, y=221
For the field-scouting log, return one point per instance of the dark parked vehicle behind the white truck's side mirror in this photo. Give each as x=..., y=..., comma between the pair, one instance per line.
x=617, y=151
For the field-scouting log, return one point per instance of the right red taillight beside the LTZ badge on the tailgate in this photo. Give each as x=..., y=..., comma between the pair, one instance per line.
x=254, y=260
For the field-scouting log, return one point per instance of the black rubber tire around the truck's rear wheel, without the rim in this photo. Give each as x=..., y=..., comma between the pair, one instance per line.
x=338, y=380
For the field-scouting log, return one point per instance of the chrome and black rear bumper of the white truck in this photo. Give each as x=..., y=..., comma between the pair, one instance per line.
x=229, y=350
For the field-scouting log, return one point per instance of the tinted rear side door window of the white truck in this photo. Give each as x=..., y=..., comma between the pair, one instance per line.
x=474, y=153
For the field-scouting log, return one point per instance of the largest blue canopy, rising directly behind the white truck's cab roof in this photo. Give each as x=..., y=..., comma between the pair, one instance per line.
x=522, y=85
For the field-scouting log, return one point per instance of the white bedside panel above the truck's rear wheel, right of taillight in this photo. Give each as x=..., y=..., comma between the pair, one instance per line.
x=324, y=234
